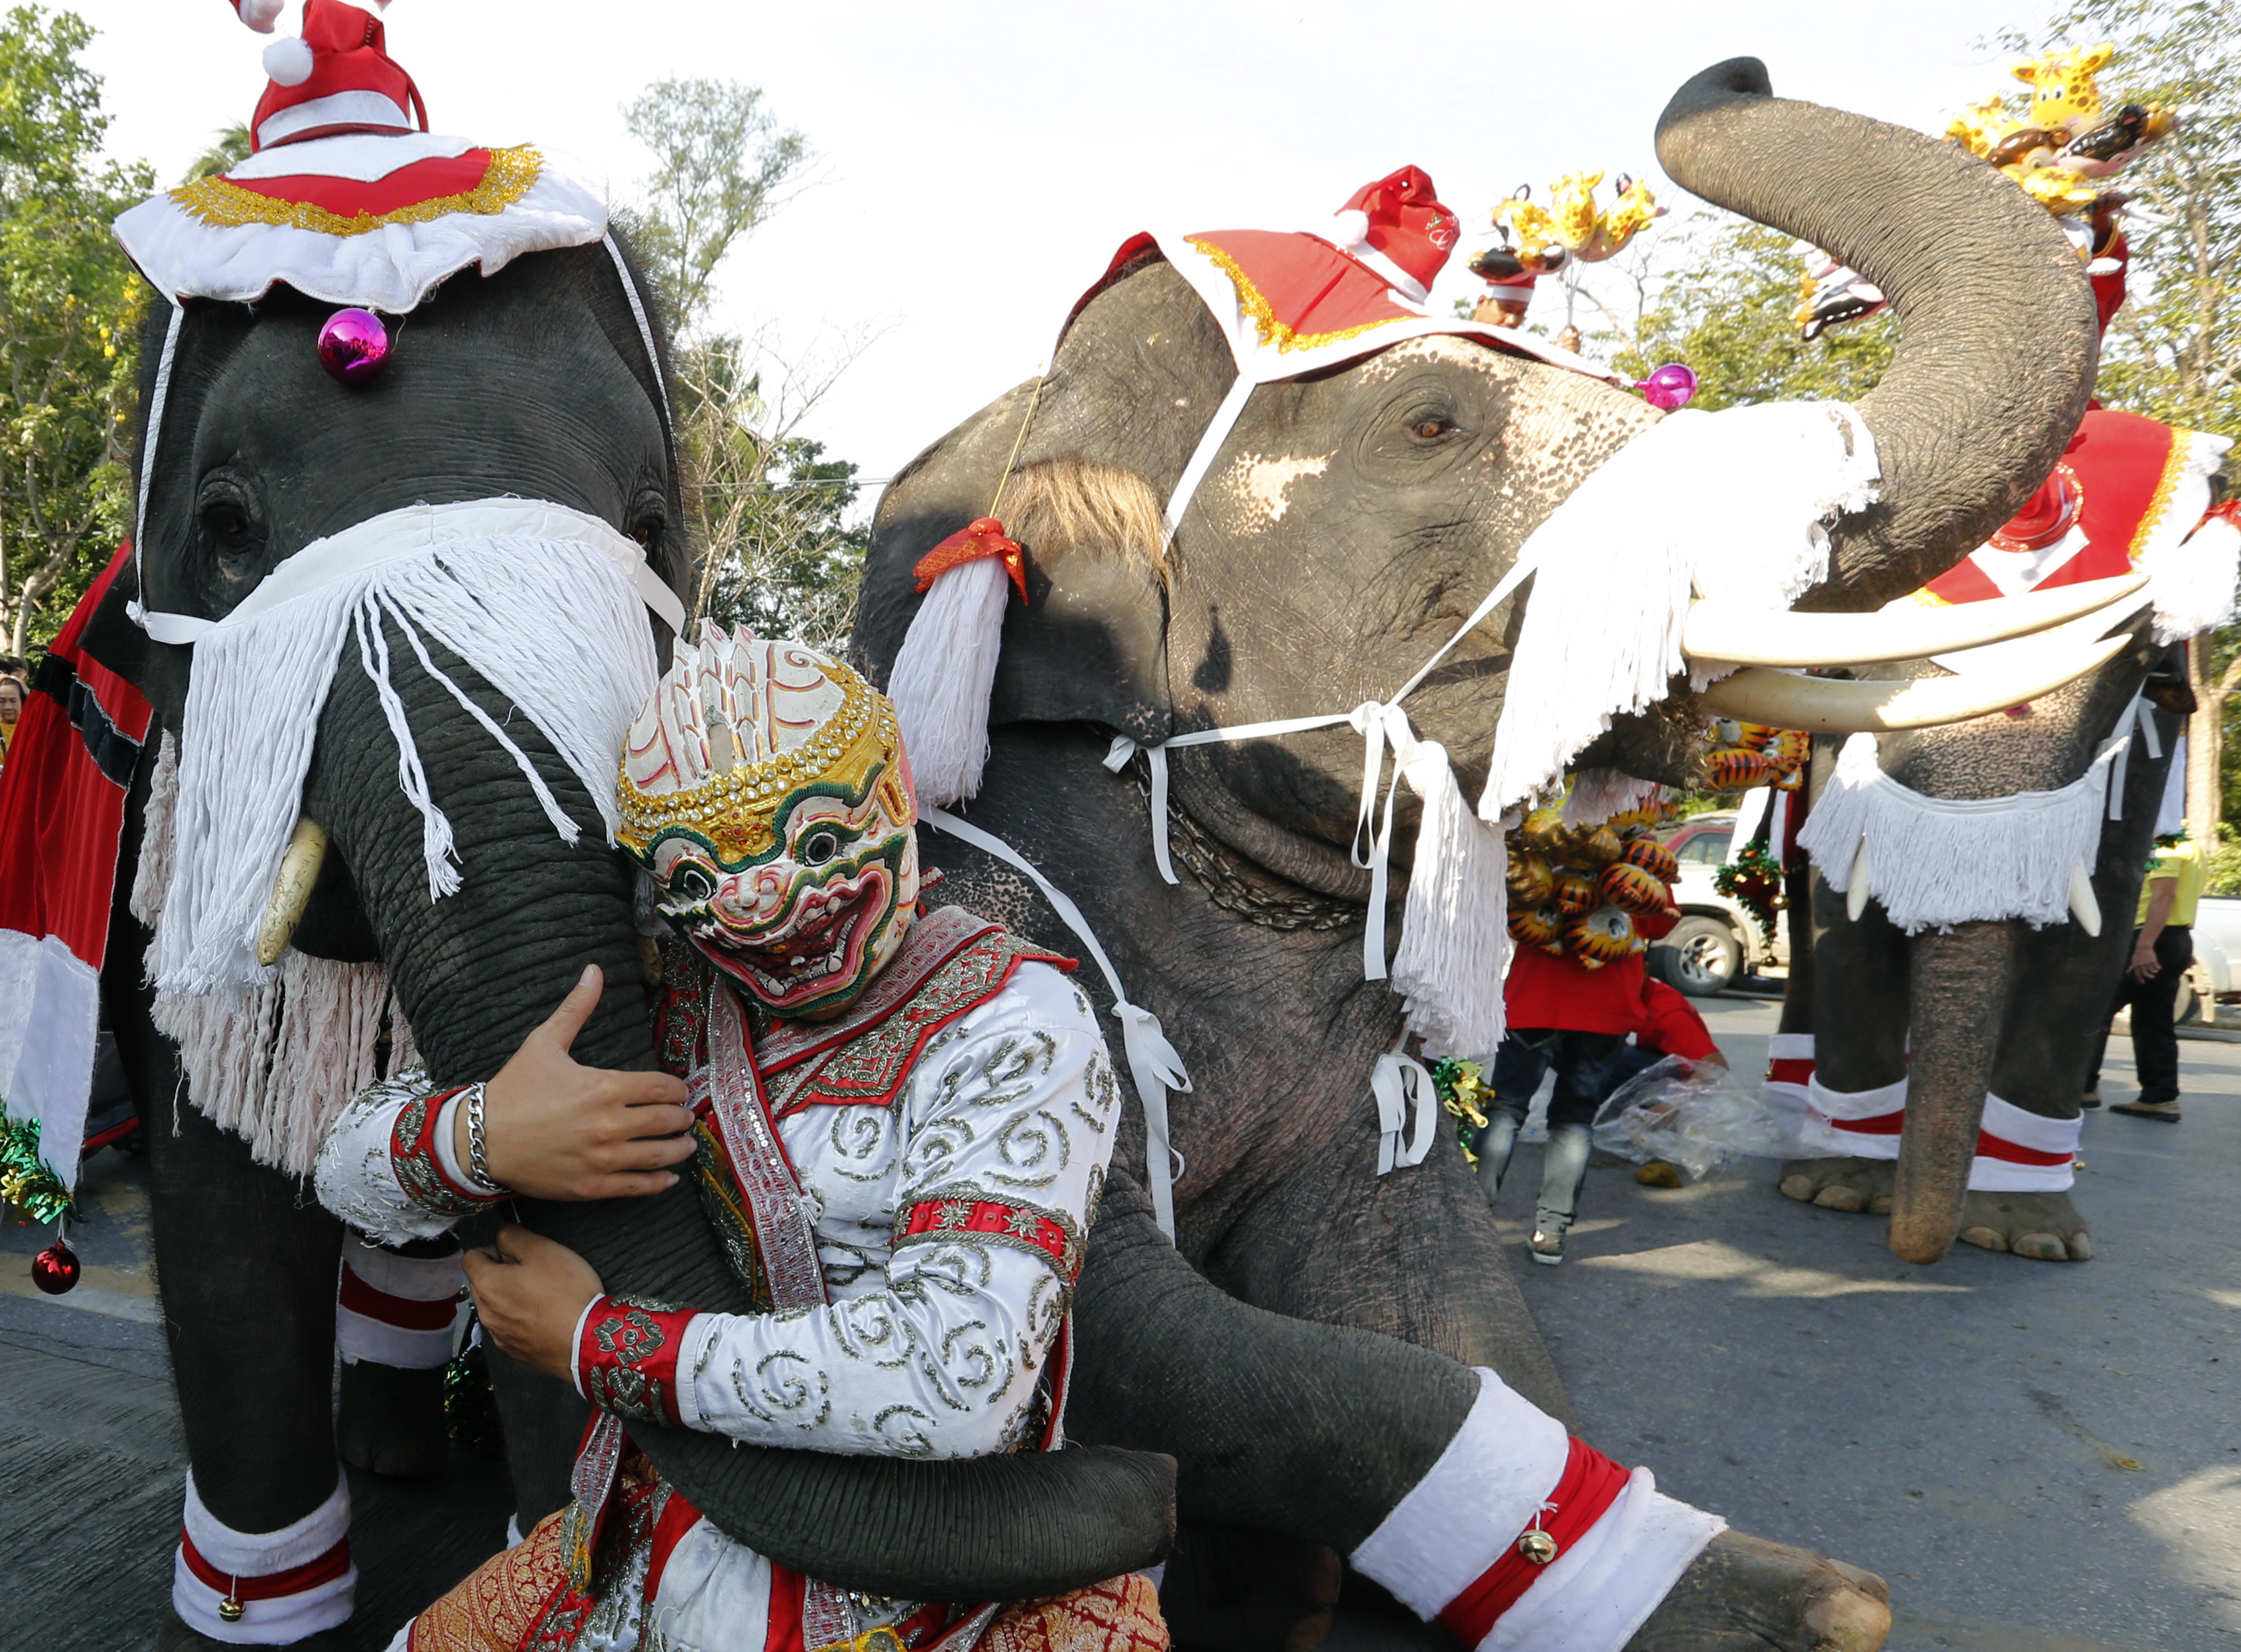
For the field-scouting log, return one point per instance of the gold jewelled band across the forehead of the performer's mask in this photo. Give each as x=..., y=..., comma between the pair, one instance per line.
x=738, y=813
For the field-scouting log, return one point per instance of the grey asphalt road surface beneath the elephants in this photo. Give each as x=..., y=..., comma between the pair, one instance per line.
x=2038, y=1458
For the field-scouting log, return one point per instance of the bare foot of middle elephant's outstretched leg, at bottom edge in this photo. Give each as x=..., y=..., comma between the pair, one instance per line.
x=1749, y=1595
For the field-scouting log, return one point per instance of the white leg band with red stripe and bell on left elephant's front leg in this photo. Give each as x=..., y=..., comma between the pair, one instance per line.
x=266, y=1588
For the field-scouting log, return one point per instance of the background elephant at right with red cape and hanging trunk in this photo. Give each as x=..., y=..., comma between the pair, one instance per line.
x=1987, y=1088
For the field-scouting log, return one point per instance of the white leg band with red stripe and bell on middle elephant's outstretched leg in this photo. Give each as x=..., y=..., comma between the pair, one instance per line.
x=1523, y=1539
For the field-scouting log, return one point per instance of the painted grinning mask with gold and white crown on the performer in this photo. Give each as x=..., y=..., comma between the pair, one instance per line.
x=768, y=792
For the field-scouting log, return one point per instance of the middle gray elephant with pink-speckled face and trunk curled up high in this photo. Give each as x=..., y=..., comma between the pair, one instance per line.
x=1343, y=532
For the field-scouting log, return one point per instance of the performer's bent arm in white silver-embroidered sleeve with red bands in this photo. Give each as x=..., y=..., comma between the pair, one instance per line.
x=1007, y=1140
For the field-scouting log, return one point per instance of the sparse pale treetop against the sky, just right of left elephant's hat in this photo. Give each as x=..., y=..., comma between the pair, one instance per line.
x=720, y=169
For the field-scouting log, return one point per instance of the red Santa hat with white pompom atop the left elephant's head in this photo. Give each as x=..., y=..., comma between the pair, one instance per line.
x=335, y=77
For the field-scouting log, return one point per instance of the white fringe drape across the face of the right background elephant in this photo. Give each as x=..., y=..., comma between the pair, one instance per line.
x=1942, y=862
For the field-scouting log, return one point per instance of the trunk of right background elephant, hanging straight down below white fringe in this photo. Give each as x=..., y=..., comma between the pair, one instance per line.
x=1962, y=983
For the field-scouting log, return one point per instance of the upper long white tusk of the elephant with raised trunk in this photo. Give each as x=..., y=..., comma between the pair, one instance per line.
x=1745, y=635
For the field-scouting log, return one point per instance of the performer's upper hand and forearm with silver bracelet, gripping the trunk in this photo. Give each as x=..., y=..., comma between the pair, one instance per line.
x=400, y=1160
